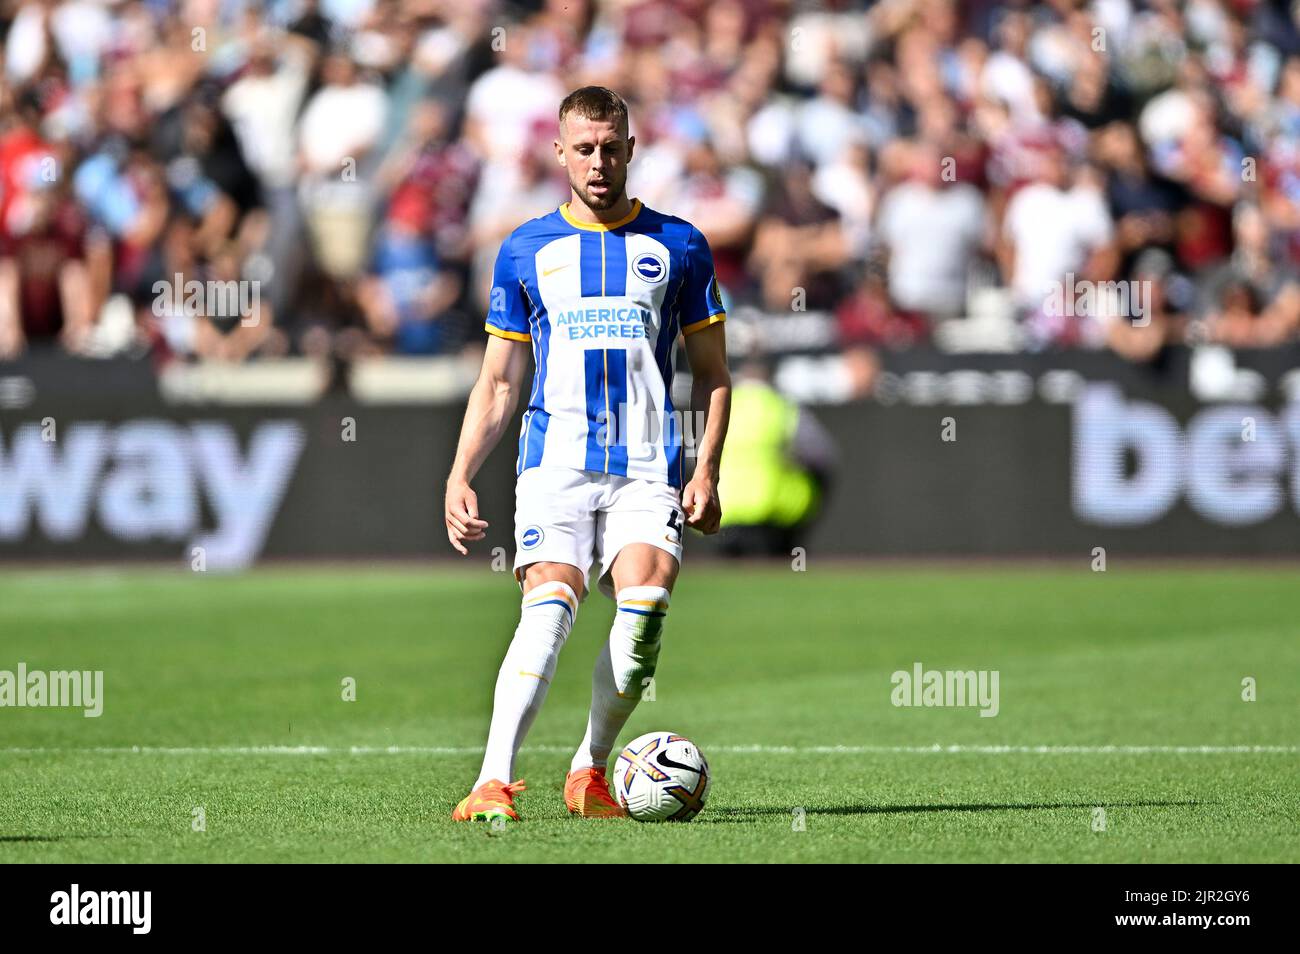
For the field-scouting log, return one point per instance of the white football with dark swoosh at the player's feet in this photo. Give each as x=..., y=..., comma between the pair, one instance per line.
x=661, y=777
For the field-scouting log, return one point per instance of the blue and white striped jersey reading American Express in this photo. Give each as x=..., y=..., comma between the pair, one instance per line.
x=603, y=306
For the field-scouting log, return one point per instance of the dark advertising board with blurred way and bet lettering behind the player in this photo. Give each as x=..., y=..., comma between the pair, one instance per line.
x=1134, y=471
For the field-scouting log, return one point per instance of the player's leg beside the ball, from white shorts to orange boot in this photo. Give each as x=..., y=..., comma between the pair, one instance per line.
x=639, y=539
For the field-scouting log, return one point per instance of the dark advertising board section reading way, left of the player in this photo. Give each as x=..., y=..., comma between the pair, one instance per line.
x=222, y=487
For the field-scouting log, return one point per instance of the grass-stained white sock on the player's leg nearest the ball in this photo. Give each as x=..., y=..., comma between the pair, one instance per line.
x=623, y=670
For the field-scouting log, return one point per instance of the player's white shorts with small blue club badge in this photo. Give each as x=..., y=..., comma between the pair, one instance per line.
x=578, y=517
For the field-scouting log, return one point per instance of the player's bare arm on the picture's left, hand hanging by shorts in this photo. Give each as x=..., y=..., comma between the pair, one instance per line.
x=492, y=405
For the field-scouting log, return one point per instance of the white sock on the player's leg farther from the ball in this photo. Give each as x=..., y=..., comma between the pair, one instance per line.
x=545, y=622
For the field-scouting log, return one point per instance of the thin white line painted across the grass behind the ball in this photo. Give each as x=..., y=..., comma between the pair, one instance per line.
x=726, y=749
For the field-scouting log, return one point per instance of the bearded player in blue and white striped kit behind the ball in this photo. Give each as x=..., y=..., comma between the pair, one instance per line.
x=597, y=292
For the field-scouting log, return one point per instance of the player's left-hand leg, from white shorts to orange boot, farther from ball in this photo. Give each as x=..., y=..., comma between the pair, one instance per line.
x=554, y=532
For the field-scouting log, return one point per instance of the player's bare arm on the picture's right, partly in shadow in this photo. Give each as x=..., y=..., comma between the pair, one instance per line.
x=710, y=393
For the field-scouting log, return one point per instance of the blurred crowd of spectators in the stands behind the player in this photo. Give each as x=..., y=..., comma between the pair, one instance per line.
x=899, y=166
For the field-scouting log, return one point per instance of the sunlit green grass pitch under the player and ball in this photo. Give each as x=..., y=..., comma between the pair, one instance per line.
x=766, y=669
